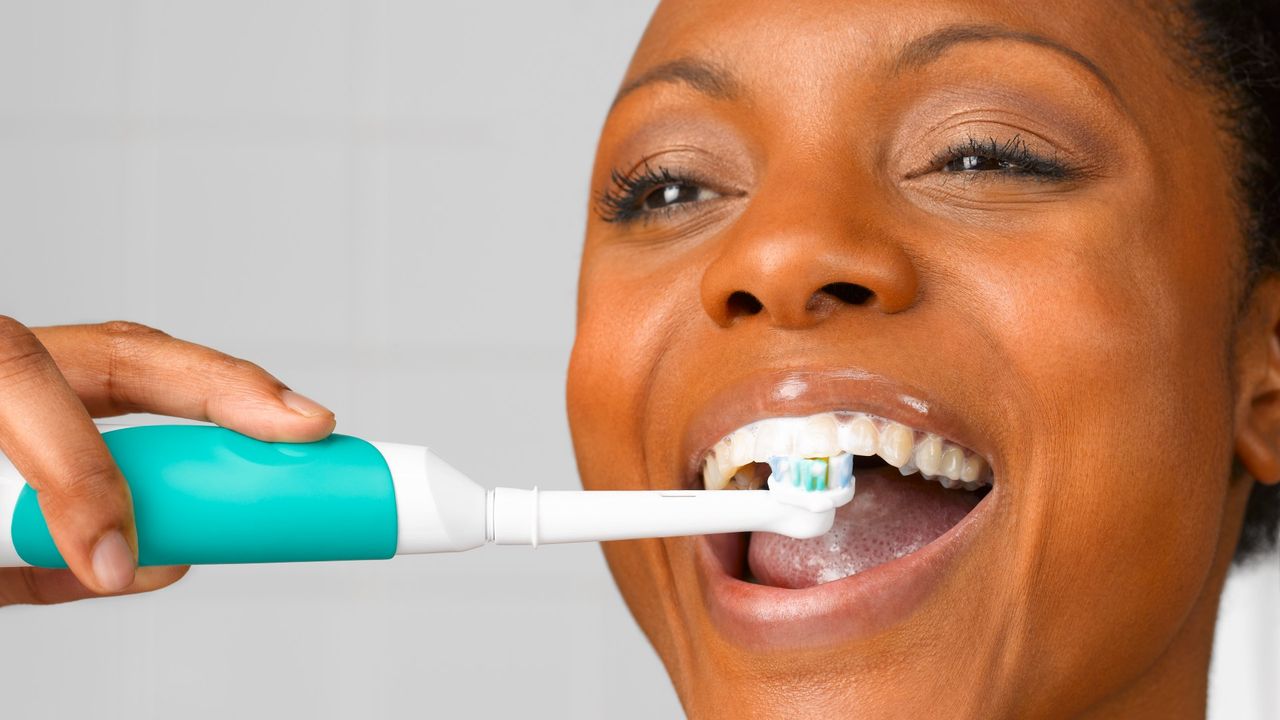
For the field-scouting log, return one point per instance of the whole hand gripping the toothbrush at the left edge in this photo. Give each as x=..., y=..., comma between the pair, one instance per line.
x=53, y=381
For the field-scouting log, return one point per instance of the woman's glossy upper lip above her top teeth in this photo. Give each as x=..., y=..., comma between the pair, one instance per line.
x=793, y=393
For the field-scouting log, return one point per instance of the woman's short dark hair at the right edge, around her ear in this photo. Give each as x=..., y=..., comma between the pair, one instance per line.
x=1233, y=48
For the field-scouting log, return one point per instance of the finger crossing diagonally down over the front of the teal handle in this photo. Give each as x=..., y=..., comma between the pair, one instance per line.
x=52, y=441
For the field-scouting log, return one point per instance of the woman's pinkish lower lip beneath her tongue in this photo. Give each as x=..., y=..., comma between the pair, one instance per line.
x=848, y=610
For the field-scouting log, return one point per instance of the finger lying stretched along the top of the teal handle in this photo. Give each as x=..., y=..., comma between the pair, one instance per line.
x=120, y=368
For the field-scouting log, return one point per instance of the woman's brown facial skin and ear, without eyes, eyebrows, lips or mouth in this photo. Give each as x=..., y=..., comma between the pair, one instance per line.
x=1087, y=329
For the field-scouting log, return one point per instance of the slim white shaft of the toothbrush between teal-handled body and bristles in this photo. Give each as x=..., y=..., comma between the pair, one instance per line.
x=520, y=517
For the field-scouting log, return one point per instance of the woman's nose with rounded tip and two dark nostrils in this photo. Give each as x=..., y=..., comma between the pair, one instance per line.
x=798, y=270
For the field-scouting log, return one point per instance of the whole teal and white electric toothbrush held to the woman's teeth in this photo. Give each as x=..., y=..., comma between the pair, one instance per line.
x=205, y=495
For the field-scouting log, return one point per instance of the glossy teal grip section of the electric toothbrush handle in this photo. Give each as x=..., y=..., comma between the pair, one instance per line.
x=207, y=495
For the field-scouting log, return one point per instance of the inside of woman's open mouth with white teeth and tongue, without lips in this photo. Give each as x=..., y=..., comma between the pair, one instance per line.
x=912, y=487
